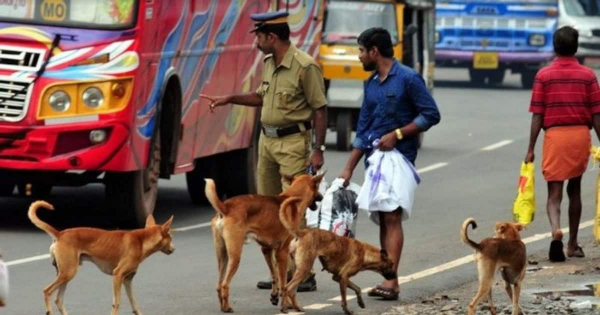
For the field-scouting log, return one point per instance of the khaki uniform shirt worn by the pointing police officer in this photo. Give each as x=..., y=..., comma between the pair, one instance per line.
x=291, y=91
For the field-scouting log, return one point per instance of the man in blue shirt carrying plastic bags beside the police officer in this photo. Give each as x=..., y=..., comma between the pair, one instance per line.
x=397, y=107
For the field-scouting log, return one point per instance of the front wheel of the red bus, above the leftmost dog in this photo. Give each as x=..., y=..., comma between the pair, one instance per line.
x=133, y=194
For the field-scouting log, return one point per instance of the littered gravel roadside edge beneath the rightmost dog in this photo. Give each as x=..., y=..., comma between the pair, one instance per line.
x=571, y=287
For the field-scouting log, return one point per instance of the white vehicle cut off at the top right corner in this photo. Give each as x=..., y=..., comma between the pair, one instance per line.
x=583, y=15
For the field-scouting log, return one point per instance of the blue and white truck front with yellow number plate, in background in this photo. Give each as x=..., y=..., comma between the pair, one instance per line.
x=490, y=37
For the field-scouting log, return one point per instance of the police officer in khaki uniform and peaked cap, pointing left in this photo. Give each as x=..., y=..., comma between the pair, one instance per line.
x=291, y=94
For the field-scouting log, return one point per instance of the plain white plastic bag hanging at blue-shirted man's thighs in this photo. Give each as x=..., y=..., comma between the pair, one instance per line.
x=390, y=183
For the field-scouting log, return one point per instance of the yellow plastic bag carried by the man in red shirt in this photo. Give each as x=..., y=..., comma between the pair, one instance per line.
x=524, y=206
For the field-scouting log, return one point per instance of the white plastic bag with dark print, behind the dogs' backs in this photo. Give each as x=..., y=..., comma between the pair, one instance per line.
x=338, y=210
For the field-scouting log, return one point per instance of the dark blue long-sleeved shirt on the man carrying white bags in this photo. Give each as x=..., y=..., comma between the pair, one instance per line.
x=400, y=99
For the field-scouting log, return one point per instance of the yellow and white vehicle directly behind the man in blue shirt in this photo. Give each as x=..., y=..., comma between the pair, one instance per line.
x=412, y=26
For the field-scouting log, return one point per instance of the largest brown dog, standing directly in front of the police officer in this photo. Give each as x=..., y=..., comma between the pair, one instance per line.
x=257, y=217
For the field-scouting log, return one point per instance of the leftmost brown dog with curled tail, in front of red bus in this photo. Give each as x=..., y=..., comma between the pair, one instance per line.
x=116, y=253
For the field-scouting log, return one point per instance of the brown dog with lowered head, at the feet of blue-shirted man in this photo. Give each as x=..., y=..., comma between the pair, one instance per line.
x=342, y=256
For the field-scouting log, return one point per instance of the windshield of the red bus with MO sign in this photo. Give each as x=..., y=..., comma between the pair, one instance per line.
x=96, y=14
